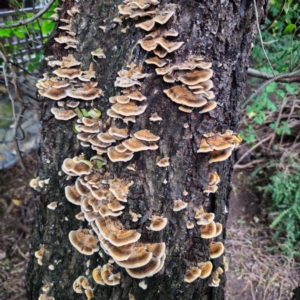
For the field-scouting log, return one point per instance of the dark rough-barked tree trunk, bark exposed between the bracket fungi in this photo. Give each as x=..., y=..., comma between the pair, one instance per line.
x=223, y=34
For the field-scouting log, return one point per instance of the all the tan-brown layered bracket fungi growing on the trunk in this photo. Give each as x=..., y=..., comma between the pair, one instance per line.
x=101, y=197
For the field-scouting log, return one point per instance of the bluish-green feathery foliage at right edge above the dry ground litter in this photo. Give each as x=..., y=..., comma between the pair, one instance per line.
x=285, y=210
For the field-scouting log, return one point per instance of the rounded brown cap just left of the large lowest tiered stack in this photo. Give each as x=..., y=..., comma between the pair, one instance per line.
x=83, y=241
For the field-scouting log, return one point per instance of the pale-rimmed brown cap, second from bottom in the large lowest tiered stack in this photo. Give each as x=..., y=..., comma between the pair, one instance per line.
x=138, y=258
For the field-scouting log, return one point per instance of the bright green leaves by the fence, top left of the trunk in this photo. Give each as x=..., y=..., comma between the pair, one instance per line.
x=27, y=34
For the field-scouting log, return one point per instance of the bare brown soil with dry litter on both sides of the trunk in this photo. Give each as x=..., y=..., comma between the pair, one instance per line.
x=254, y=273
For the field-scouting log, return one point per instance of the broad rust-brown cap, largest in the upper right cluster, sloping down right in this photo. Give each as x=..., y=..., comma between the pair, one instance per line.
x=182, y=95
